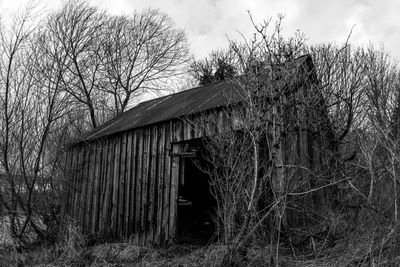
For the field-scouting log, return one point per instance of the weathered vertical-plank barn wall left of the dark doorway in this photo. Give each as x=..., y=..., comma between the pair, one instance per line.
x=125, y=186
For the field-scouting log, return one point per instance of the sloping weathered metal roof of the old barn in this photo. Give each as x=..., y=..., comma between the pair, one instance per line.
x=174, y=106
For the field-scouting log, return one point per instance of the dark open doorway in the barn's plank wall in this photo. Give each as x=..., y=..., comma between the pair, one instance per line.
x=196, y=204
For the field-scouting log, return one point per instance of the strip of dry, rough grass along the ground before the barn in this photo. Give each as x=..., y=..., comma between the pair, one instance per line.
x=353, y=251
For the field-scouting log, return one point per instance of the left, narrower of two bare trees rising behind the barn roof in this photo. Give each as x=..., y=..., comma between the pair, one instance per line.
x=78, y=29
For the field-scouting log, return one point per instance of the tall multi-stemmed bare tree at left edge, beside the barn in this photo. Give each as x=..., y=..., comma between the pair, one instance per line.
x=33, y=103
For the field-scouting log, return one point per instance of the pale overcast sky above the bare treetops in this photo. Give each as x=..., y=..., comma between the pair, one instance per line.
x=208, y=22
